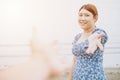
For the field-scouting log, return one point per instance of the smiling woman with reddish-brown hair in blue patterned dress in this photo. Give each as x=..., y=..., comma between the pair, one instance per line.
x=88, y=47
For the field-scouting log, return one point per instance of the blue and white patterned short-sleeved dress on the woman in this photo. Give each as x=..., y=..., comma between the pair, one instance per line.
x=88, y=66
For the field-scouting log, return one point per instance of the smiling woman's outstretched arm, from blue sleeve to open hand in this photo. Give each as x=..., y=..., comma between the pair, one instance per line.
x=97, y=40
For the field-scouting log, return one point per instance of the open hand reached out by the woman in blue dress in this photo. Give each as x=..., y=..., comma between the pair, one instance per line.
x=94, y=42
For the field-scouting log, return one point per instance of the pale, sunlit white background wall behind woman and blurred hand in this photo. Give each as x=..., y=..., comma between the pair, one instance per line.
x=56, y=20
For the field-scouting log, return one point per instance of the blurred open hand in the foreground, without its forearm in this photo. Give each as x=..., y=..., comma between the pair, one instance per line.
x=47, y=52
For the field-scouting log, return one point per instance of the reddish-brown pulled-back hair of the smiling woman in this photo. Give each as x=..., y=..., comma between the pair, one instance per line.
x=91, y=8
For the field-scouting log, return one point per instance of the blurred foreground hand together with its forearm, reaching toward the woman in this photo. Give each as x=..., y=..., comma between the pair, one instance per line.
x=43, y=64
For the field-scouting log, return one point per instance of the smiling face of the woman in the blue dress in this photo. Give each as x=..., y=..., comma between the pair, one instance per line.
x=86, y=19
